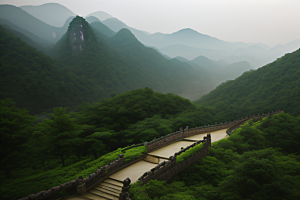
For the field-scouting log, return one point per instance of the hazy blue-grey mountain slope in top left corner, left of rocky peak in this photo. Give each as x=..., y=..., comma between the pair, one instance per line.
x=24, y=20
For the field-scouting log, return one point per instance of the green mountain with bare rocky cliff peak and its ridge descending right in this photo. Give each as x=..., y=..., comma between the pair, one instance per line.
x=122, y=63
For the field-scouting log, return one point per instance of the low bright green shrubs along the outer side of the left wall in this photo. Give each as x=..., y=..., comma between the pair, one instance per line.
x=30, y=181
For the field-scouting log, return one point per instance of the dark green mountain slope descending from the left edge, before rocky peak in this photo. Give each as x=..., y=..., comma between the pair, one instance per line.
x=35, y=81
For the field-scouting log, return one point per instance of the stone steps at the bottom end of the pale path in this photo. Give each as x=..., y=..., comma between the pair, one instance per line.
x=109, y=189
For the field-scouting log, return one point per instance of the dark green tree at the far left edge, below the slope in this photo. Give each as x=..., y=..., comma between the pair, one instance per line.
x=16, y=126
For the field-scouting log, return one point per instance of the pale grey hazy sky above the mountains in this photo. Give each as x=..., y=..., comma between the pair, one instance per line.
x=267, y=21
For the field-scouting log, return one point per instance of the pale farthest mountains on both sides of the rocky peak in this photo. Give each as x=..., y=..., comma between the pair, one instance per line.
x=186, y=43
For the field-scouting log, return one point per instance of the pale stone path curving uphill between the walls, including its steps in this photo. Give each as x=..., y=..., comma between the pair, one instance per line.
x=111, y=187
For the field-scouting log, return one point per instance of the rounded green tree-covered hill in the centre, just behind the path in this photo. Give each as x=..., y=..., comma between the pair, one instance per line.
x=141, y=115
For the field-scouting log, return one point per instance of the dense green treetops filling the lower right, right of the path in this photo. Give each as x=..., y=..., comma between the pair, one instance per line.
x=253, y=163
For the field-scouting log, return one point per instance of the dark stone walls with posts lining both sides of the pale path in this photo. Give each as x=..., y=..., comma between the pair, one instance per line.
x=163, y=171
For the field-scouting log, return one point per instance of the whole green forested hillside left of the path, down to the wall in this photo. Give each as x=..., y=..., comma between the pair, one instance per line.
x=63, y=147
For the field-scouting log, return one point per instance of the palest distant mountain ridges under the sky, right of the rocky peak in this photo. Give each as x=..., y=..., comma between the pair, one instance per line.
x=190, y=44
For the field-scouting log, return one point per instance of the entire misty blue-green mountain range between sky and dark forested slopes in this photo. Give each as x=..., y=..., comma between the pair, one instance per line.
x=186, y=62
